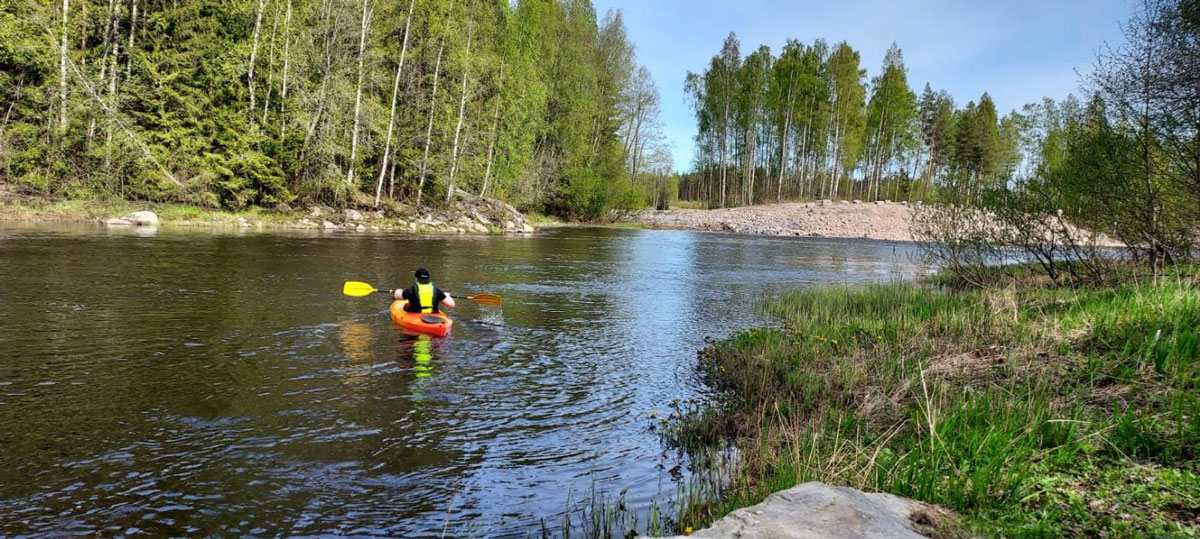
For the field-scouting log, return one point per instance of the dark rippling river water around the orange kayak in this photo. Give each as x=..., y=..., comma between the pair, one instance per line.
x=219, y=384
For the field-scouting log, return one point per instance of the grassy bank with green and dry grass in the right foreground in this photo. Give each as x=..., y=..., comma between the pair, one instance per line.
x=1029, y=411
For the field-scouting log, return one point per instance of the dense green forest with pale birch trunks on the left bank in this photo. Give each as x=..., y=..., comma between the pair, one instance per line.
x=286, y=103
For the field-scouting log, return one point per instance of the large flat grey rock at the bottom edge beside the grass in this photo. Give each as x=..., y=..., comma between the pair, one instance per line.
x=819, y=511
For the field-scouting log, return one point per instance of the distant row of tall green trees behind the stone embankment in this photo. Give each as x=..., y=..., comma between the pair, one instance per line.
x=808, y=125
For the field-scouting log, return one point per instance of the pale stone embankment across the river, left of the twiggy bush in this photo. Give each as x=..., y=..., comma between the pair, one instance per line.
x=825, y=219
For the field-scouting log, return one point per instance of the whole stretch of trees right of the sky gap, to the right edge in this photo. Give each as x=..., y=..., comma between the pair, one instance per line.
x=808, y=124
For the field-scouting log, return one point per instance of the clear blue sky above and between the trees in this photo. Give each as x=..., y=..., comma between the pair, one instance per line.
x=1018, y=51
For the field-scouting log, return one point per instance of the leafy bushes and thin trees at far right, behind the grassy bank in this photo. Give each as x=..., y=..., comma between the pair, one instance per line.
x=1121, y=170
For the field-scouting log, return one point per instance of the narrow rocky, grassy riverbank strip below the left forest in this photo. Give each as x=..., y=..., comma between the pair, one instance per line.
x=466, y=215
